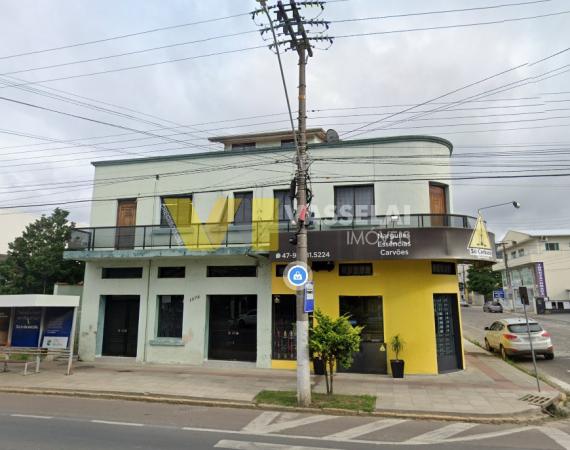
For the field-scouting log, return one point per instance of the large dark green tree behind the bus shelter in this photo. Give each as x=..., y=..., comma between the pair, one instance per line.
x=35, y=260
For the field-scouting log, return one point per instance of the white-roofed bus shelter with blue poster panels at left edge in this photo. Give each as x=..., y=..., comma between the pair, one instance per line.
x=38, y=325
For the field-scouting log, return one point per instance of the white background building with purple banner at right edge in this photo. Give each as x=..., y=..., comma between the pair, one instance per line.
x=539, y=260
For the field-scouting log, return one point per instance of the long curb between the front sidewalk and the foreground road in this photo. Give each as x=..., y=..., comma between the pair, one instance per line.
x=525, y=417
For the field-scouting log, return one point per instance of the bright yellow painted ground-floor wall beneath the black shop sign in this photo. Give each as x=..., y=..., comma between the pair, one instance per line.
x=407, y=292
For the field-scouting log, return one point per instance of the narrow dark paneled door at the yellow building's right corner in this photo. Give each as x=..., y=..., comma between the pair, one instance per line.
x=447, y=332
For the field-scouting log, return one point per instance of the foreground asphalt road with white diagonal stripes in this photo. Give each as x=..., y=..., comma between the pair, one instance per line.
x=61, y=423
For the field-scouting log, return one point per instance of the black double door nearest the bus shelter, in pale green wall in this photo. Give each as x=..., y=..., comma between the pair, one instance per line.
x=121, y=325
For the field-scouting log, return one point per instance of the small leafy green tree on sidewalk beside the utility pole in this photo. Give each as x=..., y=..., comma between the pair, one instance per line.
x=335, y=341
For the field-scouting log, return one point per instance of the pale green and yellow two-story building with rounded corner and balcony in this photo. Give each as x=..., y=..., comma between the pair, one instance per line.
x=185, y=253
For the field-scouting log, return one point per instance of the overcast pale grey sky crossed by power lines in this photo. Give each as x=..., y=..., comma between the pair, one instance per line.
x=379, y=70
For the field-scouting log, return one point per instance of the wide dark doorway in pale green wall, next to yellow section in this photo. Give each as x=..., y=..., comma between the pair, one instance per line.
x=233, y=327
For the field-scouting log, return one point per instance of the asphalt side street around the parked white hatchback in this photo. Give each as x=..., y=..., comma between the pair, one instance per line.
x=475, y=320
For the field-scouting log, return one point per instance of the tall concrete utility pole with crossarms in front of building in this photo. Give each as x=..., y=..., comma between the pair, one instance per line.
x=297, y=39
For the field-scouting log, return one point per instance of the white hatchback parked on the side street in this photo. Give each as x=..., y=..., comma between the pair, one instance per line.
x=510, y=338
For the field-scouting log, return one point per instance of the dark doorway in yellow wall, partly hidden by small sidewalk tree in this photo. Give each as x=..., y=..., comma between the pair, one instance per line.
x=366, y=312
